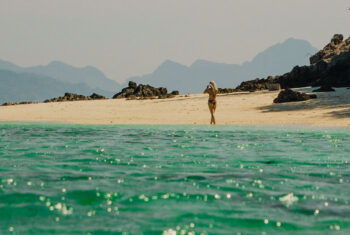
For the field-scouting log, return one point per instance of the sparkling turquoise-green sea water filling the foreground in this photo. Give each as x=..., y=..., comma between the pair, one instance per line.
x=72, y=179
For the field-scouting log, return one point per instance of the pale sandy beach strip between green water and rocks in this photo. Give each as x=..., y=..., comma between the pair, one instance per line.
x=329, y=109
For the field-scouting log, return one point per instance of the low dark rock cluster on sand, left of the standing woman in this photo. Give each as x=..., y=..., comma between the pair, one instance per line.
x=134, y=91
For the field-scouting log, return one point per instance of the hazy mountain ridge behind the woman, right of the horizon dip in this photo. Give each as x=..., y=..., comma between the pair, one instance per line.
x=276, y=60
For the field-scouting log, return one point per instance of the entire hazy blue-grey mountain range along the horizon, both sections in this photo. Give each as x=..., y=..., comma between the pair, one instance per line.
x=42, y=82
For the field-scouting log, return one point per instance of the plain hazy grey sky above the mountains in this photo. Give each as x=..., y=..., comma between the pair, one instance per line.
x=126, y=38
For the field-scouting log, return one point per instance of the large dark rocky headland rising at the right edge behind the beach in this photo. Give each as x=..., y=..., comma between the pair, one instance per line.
x=330, y=66
